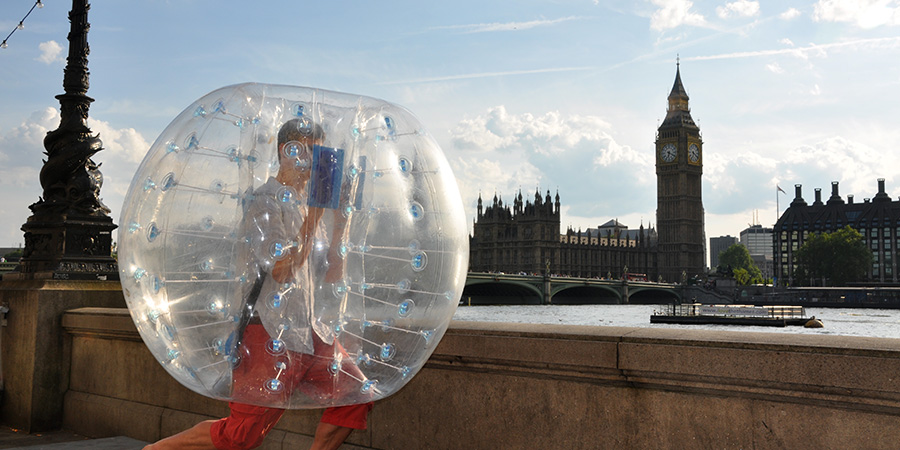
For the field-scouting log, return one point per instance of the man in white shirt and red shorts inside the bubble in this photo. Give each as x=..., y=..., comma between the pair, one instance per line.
x=282, y=351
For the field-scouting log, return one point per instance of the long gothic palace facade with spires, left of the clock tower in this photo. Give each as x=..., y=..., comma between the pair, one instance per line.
x=525, y=238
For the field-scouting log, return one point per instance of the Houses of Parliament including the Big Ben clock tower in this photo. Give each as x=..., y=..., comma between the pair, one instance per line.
x=525, y=237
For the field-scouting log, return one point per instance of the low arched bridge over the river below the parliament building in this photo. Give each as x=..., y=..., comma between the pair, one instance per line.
x=495, y=288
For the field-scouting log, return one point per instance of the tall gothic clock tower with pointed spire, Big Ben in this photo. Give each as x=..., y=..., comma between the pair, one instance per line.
x=679, y=201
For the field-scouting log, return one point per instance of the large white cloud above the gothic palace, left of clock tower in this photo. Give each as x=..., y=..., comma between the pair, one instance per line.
x=499, y=151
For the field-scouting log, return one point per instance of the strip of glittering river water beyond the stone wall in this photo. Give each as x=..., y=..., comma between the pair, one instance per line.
x=884, y=323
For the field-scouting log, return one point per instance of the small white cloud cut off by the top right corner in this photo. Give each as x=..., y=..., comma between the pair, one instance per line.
x=862, y=13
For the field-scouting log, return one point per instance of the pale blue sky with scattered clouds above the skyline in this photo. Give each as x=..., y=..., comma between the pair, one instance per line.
x=562, y=95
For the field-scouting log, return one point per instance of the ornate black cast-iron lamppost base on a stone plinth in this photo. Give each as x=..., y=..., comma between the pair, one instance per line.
x=68, y=235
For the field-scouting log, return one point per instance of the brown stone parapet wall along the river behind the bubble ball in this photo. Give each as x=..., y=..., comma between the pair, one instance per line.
x=498, y=385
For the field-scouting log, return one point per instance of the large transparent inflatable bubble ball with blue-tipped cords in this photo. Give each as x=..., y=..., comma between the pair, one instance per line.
x=293, y=247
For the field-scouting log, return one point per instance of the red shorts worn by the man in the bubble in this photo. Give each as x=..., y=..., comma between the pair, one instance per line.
x=248, y=425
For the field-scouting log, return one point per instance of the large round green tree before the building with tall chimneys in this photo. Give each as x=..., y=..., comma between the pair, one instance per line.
x=833, y=259
